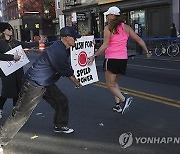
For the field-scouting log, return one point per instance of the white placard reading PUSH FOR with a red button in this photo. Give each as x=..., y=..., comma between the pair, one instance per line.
x=84, y=48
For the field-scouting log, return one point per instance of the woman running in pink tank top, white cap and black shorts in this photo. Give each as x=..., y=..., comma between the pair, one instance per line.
x=116, y=35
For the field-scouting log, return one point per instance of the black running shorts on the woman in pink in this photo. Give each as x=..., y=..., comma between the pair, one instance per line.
x=116, y=66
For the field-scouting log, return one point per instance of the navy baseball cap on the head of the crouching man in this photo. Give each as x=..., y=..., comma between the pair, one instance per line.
x=69, y=31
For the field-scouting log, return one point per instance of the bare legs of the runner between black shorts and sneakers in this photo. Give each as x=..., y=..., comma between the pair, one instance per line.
x=112, y=84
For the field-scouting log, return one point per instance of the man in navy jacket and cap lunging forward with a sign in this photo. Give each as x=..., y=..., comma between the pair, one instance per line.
x=40, y=82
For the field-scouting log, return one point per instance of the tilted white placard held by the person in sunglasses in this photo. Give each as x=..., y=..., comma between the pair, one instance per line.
x=9, y=67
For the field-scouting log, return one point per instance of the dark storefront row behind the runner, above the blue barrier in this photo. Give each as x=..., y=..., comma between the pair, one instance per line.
x=153, y=16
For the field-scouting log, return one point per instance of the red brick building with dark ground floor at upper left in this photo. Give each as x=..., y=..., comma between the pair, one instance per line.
x=30, y=18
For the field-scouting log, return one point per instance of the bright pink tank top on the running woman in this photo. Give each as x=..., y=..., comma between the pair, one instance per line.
x=117, y=48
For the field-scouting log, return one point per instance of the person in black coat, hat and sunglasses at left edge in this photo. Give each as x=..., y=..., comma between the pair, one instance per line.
x=12, y=83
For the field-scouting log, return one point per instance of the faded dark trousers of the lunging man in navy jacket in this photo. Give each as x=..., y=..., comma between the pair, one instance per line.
x=29, y=97
